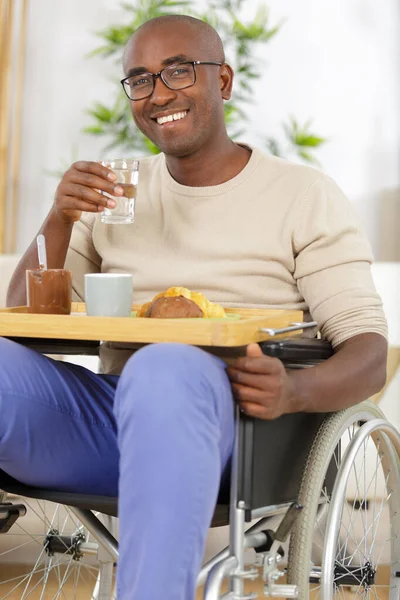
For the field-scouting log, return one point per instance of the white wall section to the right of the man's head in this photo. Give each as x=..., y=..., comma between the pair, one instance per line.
x=339, y=62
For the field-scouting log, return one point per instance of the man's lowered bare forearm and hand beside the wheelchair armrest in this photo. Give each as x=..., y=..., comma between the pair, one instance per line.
x=265, y=390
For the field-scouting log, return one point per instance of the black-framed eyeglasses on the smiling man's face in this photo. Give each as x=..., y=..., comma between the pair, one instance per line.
x=175, y=77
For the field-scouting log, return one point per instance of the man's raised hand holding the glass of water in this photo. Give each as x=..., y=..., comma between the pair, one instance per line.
x=79, y=190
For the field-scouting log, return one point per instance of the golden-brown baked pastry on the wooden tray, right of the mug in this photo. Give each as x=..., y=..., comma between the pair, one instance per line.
x=180, y=302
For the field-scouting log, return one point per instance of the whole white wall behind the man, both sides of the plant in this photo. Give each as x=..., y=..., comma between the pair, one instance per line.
x=336, y=62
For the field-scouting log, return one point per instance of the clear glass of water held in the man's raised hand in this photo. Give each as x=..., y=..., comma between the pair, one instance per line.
x=127, y=172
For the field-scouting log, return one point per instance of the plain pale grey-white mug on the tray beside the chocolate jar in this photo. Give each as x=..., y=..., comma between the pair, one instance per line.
x=108, y=294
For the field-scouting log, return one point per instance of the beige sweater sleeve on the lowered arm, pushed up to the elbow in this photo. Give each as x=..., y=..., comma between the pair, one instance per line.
x=333, y=266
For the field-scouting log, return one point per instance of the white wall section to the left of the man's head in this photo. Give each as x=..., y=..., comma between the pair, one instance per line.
x=60, y=84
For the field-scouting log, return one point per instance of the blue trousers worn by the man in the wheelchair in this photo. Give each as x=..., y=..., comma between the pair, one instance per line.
x=160, y=436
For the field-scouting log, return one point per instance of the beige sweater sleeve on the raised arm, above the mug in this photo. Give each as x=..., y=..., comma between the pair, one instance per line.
x=82, y=256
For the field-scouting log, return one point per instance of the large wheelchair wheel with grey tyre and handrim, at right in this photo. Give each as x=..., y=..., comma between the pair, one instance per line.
x=346, y=544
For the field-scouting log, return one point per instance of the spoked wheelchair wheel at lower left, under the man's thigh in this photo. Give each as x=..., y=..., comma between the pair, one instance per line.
x=49, y=554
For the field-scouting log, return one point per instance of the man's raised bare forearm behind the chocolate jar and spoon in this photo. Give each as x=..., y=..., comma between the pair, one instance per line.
x=58, y=235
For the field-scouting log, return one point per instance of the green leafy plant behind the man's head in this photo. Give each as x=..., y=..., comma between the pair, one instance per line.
x=241, y=39
